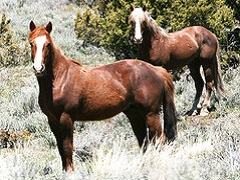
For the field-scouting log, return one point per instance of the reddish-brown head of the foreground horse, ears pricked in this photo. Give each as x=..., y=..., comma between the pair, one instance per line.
x=40, y=42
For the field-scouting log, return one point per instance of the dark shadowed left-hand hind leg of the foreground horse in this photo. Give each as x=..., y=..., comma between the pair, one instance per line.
x=138, y=123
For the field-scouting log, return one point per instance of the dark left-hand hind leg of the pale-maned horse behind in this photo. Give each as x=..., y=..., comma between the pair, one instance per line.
x=199, y=84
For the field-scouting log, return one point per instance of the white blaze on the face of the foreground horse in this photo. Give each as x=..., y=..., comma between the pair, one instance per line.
x=38, y=58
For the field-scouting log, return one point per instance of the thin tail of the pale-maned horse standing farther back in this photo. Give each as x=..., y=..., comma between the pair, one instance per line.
x=217, y=76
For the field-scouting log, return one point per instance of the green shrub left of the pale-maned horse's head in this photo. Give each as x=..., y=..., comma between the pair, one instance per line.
x=106, y=26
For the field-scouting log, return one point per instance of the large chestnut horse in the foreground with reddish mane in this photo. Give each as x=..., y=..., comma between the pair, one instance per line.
x=69, y=92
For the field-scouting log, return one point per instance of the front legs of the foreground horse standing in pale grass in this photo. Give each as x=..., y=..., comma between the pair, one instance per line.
x=63, y=131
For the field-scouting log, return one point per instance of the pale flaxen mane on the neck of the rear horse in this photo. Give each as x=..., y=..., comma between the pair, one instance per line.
x=153, y=26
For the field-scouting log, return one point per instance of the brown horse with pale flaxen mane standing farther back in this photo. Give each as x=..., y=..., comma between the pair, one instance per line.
x=193, y=46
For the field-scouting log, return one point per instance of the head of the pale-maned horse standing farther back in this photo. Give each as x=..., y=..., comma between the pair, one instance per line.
x=138, y=19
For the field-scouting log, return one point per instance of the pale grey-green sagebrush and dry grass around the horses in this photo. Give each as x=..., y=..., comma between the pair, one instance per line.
x=206, y=147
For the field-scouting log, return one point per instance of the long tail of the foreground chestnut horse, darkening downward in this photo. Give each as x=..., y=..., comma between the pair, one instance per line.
x=169, y=109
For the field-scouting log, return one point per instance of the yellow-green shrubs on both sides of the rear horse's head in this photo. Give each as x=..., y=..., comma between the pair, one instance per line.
x=105, y=23
